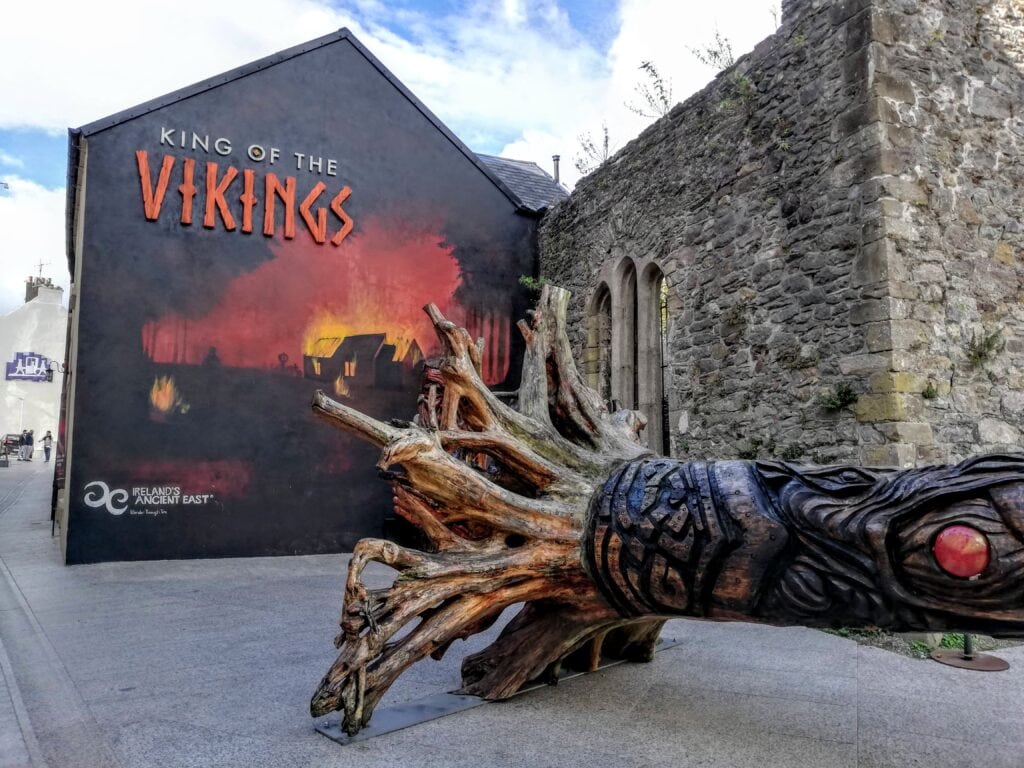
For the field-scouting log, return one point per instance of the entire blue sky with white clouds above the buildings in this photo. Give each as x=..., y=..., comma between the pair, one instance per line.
x=520, y=78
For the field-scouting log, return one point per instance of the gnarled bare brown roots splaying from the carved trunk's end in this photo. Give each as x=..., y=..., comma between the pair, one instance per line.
x=501, y=496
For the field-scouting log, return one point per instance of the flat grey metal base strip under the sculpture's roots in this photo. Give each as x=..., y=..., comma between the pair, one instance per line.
x=391, y=719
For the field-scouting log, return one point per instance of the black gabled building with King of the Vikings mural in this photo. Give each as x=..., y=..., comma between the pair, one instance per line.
x=242, y=243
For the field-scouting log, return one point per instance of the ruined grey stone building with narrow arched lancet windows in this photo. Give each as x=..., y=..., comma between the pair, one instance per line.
x=838, y=219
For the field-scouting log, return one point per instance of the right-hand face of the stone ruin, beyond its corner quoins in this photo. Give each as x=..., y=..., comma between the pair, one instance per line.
x=951, y=83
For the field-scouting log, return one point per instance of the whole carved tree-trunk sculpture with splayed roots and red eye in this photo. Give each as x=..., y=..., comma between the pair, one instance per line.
x=558, y=506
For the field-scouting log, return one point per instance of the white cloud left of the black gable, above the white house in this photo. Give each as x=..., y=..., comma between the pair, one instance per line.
x=31, y=231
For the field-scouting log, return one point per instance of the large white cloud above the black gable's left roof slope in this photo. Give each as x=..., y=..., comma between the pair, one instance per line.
x=104, y=57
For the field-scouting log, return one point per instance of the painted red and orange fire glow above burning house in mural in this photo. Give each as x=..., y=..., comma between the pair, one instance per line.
x=308, y=293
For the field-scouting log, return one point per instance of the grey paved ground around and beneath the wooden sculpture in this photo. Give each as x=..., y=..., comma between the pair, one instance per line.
x=212, y=663
